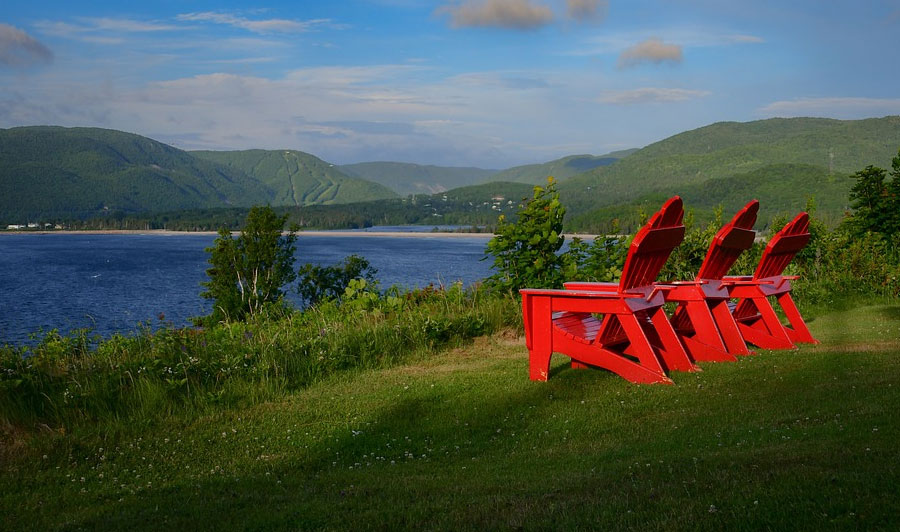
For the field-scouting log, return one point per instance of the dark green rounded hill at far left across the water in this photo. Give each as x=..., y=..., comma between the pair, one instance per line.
x=53, y=172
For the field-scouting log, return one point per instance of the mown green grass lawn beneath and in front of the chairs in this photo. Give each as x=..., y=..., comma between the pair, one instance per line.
x=803, y=439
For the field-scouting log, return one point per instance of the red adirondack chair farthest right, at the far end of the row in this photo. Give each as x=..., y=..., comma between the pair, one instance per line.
x=754, y=313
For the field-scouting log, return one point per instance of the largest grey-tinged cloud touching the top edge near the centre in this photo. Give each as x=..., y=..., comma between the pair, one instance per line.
x=509, y=14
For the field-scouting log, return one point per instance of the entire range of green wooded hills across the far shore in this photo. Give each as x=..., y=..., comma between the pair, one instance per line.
x=57, y=173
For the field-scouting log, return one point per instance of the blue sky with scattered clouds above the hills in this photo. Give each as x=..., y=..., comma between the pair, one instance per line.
x=489, y=83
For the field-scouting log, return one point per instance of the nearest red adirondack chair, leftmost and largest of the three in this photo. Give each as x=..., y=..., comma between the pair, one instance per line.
x=633, y=338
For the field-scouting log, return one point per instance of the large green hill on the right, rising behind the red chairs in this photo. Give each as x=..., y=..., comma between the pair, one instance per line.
x=737, y=150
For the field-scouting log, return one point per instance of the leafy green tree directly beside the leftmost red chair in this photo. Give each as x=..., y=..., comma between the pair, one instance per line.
x=525, y=252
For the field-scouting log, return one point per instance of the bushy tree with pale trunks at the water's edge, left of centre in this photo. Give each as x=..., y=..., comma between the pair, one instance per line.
x=249, y=271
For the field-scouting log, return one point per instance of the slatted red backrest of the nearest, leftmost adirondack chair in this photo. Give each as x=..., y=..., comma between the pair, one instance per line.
x=652, y=245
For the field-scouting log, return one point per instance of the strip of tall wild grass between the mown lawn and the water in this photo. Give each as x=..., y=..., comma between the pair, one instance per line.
x=65, y=381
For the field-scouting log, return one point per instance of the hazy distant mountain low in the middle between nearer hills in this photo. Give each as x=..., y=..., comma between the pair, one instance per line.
x=407, y=178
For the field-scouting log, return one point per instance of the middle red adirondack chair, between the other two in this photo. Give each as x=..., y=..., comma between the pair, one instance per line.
x=702, y=318
